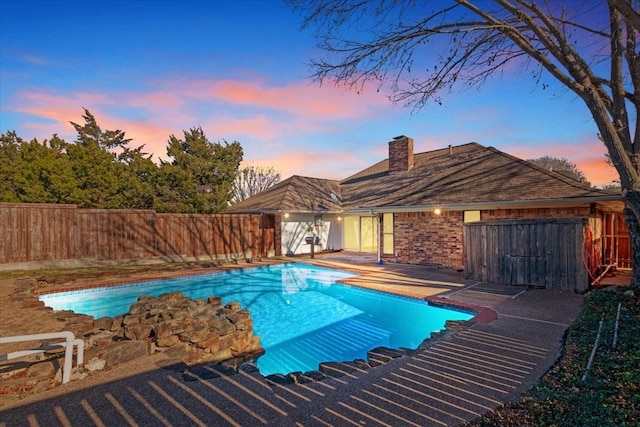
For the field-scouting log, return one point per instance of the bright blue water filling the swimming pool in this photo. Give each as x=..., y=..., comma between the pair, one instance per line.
x=303, y=317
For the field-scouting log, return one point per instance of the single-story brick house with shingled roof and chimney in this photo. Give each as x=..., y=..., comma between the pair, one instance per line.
x=412, y=208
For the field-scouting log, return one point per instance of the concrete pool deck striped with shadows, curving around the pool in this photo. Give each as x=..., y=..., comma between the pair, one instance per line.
x=465, y=372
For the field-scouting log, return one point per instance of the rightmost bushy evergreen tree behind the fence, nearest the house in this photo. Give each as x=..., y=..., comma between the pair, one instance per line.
x=200, y=177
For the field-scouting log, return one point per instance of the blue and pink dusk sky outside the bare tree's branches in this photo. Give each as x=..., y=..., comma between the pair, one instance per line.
x=239, y=70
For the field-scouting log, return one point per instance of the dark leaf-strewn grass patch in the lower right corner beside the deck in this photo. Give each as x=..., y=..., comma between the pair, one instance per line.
x=610, y=395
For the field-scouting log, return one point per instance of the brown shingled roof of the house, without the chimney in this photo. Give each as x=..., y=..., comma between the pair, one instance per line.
x=465, y=176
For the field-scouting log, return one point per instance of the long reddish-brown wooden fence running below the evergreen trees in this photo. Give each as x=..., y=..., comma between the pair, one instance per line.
x=45, y=232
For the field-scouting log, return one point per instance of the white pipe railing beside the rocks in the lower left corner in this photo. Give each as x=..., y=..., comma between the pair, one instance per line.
x=70, y=341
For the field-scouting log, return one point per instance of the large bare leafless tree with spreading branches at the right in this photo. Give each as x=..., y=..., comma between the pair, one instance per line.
x=425, y=50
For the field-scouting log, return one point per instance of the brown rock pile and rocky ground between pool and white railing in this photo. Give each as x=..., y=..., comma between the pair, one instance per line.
x=182, y=329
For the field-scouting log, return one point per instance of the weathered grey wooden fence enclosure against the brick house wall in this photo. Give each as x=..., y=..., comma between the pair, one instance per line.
x=546, y=252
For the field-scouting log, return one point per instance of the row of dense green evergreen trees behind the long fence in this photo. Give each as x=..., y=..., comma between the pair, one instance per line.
x=100, y=170
